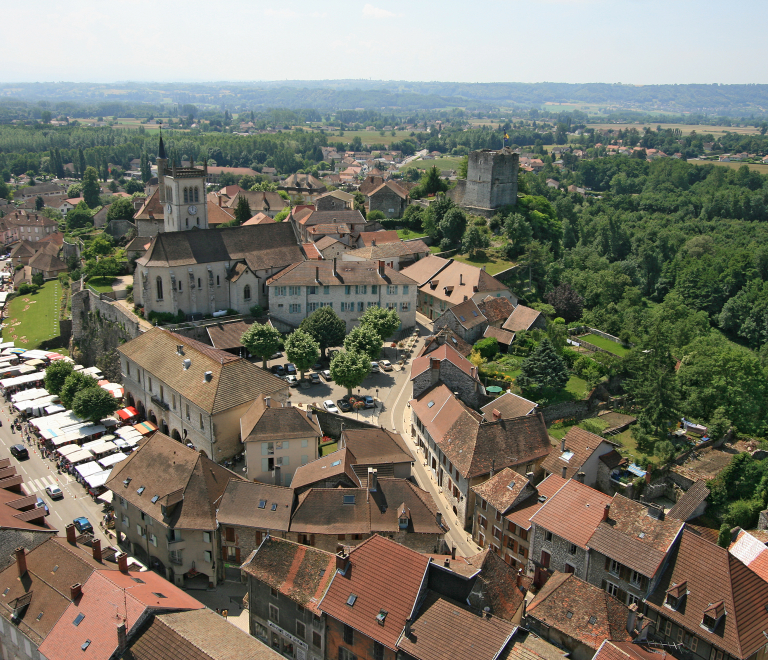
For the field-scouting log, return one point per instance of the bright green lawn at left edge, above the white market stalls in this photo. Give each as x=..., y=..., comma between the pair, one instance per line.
x=33, y=319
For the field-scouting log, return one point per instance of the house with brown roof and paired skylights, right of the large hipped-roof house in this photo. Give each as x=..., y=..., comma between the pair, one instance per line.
x=249, y=512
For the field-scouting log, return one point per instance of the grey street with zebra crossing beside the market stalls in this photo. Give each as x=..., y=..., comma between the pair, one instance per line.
x=39, y=472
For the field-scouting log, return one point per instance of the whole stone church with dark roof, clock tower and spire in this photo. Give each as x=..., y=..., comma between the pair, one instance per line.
x=191, y=268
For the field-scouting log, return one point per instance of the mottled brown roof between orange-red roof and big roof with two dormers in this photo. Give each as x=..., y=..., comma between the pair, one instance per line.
x=634, y=538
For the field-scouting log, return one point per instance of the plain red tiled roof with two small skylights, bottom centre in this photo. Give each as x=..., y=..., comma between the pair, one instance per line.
x=374, y=566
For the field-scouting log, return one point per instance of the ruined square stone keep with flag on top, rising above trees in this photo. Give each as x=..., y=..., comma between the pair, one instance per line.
x=491, y=180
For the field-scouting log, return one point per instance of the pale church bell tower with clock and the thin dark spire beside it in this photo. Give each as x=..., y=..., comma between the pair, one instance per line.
x=182, y=193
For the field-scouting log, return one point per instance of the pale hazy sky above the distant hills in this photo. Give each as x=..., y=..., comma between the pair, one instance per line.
x=626, y=41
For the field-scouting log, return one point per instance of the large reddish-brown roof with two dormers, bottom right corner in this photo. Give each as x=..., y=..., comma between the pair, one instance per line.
x=712, y=575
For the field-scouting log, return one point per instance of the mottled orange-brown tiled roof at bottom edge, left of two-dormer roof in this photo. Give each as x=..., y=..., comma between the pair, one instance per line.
x=564, y=593
